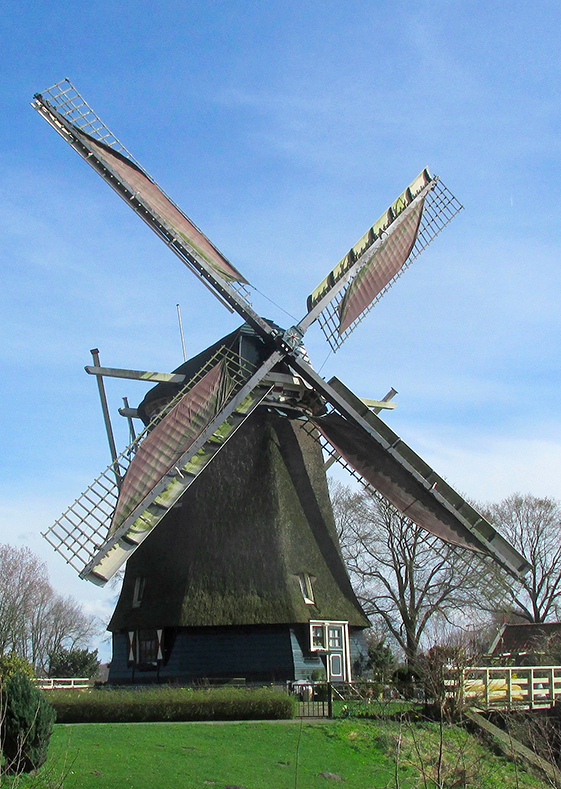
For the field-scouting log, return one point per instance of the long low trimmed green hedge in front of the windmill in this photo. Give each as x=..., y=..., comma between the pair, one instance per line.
x=170, y=704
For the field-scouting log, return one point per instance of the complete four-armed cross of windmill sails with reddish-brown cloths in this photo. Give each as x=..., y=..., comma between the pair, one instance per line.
x=105, y=525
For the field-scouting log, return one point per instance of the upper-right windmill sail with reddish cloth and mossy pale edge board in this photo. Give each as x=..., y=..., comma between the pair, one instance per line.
x=379, y=258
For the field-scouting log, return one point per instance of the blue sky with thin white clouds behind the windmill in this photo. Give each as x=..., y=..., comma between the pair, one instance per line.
x=284, y=130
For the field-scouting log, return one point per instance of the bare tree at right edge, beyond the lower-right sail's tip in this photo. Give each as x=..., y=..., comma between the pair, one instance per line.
x=533, y=526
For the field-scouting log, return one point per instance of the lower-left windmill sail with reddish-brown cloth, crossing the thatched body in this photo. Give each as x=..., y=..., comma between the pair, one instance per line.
x=105, y=525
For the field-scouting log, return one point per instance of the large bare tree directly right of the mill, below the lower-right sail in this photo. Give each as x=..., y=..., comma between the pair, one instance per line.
x=402, y=575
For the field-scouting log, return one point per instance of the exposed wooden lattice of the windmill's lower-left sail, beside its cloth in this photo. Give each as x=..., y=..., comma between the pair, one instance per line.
x=80, y=532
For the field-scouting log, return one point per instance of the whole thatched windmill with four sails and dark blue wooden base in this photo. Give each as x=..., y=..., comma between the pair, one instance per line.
x=220, y=505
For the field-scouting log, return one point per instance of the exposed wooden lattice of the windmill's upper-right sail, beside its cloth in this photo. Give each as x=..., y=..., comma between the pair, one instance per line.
x=439, y=209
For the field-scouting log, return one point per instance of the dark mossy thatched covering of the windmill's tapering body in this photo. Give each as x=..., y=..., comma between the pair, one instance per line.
x=231, y=553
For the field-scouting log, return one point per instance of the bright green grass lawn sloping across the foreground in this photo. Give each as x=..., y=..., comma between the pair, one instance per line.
x=282, y=755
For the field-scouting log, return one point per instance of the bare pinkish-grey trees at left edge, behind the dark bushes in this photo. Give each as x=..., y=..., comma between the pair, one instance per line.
x=34, y=619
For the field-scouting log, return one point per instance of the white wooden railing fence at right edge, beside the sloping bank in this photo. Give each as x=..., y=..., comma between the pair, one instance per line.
x=509, y=686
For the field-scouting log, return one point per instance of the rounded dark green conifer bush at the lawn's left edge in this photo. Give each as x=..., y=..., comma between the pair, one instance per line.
x=27, y=724
